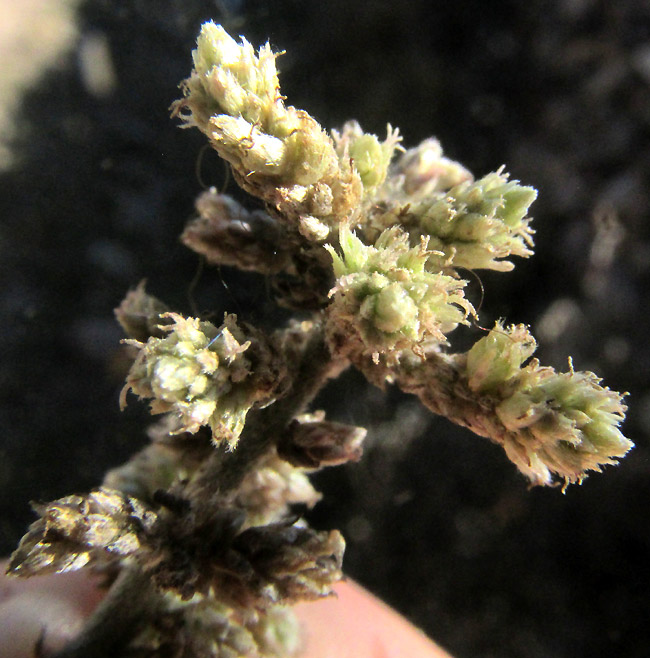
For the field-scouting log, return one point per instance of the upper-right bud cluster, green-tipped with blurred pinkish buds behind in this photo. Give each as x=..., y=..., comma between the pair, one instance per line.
x=474, y=224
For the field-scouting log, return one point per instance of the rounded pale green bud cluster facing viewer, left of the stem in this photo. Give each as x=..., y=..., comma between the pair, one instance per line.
x=200, y=374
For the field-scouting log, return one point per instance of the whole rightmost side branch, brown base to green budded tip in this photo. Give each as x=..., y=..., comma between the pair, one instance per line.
x=551, y=424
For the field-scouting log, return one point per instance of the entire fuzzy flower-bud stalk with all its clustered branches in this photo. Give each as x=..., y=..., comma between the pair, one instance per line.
x=371, y=243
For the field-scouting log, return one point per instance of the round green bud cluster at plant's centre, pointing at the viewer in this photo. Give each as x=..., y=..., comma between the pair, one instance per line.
x=386, y=299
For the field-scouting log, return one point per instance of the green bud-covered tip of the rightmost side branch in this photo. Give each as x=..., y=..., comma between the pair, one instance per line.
x=563, y=423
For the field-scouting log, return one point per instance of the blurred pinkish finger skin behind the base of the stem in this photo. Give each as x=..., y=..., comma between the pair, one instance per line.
x=355, y=624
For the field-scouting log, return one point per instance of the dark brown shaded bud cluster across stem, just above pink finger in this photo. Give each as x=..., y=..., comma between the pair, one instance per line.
x=192, y=552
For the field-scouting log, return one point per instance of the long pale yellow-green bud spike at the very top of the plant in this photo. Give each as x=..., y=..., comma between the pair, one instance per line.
x=277, y=153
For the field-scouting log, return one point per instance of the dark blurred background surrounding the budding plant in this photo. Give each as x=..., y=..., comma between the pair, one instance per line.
x=97, y=183
